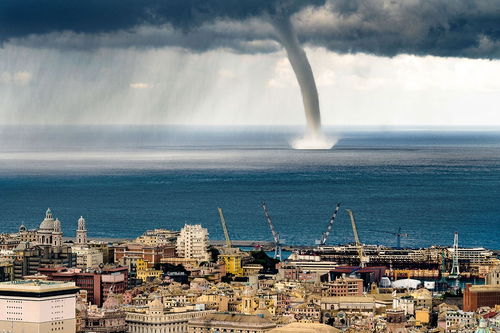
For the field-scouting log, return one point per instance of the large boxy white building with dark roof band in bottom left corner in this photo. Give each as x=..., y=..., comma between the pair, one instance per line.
x=36, y=306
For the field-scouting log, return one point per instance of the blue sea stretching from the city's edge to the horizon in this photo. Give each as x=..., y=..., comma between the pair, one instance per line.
x=125, y=180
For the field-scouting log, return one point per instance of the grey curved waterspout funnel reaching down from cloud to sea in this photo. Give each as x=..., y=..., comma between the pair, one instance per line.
x=302, y=69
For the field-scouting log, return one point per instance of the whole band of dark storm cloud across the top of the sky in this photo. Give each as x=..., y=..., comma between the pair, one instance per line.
x=458, y=28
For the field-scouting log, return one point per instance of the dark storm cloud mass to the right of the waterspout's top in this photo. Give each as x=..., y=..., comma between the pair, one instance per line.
x=464, y=28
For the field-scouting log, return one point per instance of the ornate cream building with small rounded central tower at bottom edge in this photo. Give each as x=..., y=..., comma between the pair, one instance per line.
x=156, y=320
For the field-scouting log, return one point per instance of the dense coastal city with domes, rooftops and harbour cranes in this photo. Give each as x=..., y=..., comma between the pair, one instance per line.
x=182, y=281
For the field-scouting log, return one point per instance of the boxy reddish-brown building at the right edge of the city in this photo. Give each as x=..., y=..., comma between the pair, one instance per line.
x=477, y=296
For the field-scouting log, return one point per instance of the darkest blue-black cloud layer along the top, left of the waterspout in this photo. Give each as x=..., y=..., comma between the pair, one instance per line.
x=19, y=18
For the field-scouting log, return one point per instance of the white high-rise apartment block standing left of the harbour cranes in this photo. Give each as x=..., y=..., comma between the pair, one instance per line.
x=192, y=243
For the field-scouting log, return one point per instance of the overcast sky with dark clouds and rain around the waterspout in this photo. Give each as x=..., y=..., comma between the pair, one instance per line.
x=375, y=63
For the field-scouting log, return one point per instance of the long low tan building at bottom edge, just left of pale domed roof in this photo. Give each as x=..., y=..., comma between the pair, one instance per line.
x=230, y=322
